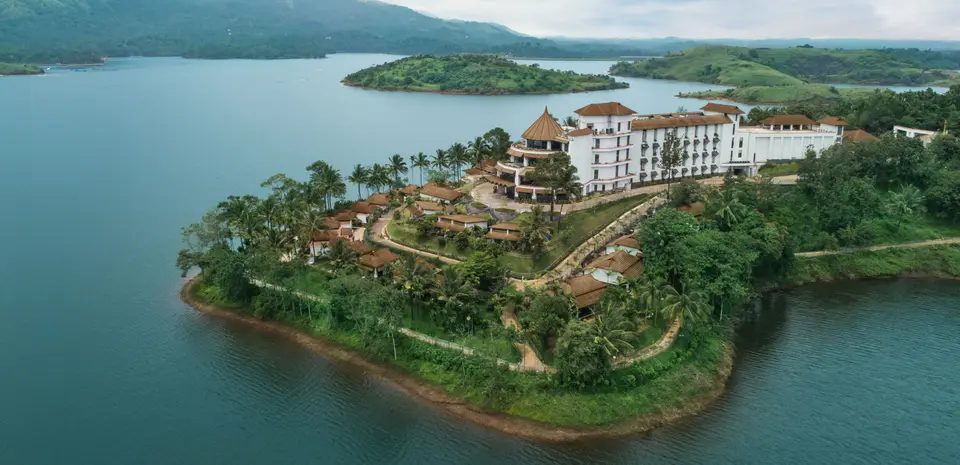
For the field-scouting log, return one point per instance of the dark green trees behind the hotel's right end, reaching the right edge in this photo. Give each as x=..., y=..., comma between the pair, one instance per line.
x=878, y=112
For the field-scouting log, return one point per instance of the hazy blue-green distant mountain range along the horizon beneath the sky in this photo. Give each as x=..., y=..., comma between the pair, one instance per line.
x=72, y=31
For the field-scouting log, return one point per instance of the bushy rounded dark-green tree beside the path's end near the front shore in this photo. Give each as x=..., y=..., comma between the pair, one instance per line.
x=580, y=361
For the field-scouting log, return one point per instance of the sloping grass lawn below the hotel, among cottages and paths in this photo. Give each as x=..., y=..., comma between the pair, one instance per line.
x=573, y=231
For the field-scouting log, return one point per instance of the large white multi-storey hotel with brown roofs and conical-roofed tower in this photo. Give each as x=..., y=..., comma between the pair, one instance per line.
x=613, y=148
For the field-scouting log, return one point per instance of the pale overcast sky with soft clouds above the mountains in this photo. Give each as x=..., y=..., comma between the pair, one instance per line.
x=749, y=19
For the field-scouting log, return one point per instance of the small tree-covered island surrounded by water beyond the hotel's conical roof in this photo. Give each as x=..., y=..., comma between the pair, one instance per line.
x=475, y=74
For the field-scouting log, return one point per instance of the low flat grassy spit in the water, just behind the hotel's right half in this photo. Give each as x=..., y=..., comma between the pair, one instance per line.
x=800, y=93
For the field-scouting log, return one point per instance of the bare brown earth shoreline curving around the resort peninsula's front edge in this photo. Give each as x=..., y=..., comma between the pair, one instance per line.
x=450, y=404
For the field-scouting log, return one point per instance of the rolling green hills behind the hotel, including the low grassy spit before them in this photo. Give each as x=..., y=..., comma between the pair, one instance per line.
x=795, y=75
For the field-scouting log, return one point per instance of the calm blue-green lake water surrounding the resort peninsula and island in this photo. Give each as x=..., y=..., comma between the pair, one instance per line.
x=100, y=363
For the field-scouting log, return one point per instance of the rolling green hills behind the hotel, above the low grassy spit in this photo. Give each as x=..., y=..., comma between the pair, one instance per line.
x=740, y=66
